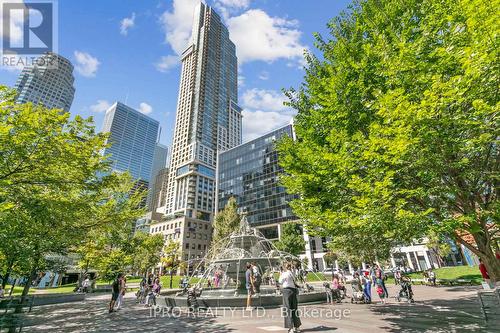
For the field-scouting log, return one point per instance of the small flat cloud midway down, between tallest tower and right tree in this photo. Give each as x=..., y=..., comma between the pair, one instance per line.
x=269, y=100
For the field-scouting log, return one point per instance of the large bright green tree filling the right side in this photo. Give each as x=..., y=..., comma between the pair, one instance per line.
x=397, y=127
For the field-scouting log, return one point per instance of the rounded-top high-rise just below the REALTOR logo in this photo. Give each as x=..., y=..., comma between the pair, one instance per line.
x=48, y=82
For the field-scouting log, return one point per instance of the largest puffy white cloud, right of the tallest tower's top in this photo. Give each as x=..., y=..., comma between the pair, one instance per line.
x=259, y=36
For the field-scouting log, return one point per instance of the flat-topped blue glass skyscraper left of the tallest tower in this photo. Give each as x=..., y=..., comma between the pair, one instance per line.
x=133, y=138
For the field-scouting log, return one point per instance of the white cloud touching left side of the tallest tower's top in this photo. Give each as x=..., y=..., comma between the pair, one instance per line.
x=177, y=24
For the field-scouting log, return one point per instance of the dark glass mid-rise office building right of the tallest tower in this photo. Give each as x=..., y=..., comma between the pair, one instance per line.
x=250, y=173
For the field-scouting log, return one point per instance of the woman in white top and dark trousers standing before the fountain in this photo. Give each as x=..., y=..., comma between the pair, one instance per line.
x=289, y=289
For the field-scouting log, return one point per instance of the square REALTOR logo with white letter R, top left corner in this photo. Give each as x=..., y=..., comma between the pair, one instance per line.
x=28, y=27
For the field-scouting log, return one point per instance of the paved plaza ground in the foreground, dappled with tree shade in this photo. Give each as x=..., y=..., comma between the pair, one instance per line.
x=437, y=309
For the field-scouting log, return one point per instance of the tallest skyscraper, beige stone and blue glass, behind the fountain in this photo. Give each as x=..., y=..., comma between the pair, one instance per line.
x=208, y=120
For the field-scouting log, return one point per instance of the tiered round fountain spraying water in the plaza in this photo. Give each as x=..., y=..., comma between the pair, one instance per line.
x=229, y=259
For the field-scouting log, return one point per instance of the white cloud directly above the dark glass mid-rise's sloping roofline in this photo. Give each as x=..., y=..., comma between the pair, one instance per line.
x=258, y=123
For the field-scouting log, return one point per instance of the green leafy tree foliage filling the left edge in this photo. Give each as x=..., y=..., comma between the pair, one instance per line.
x=55, y=185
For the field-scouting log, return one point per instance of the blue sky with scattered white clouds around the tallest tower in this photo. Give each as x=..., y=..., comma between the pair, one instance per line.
x=128, y=51
